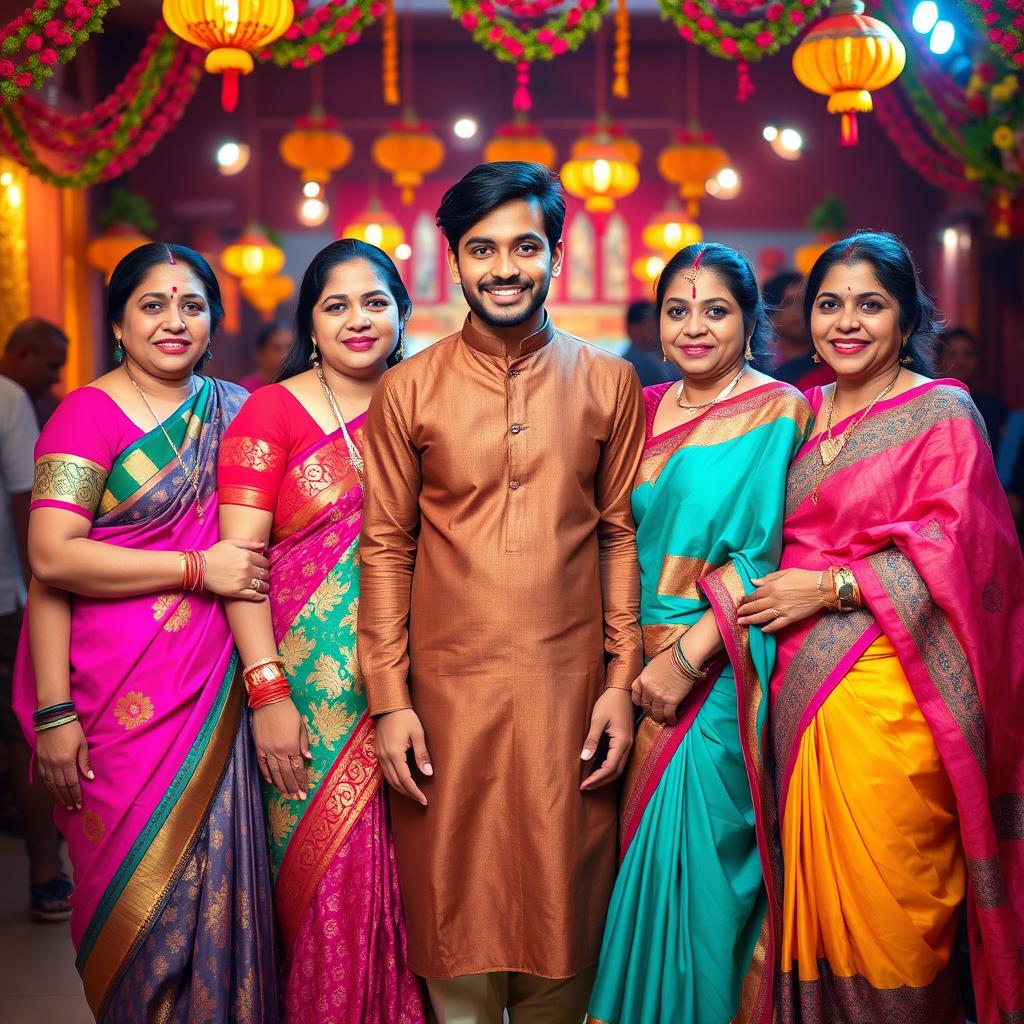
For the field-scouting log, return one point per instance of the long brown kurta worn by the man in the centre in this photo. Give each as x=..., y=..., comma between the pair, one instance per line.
x=499, y=596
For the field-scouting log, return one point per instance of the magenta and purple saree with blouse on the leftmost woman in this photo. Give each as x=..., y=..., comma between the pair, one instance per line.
x=172, y=913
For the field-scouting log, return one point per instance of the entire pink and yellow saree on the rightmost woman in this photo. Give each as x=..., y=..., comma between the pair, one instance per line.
x=897, y=728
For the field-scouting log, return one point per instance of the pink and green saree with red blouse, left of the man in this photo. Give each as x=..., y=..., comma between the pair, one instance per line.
x=336, y=886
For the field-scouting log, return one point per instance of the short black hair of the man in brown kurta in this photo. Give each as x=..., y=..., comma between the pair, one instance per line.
x=488, y=187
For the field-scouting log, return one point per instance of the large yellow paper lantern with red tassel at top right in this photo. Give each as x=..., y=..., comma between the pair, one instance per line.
x=846, y=58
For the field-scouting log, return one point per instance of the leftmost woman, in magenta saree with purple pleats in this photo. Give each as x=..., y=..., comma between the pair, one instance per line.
x=126, y=675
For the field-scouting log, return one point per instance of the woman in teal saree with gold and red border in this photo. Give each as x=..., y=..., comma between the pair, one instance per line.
x=688, y=935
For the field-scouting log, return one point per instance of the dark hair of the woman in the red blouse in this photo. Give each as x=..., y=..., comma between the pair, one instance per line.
x=314, y=282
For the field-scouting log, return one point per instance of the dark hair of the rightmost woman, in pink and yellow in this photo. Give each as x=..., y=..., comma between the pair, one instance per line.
x=893, y=266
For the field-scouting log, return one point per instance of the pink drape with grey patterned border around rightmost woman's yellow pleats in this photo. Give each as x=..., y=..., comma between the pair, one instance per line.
x=913, y=505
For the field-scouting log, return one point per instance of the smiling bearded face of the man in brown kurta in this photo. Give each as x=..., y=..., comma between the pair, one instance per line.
x=505, y=265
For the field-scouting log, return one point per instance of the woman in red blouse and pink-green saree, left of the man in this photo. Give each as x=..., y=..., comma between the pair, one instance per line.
x=291, y=474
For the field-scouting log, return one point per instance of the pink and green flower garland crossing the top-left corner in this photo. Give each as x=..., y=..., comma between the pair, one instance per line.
x=48, y=34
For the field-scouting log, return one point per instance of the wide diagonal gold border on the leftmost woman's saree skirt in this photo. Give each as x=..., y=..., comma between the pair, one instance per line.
x=158, y=871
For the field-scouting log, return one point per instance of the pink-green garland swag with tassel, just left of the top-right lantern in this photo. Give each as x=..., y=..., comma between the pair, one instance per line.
x=699, y=22
